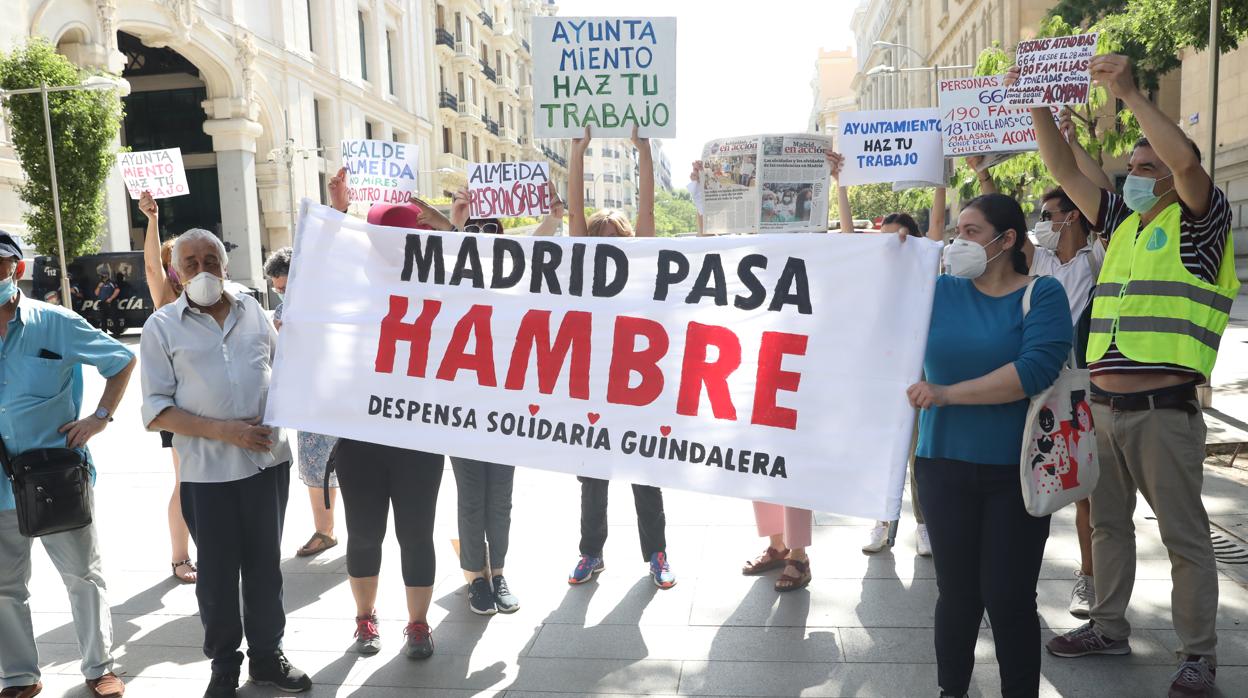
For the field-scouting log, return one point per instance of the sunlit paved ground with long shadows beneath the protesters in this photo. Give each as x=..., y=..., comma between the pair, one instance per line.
x=863, y=629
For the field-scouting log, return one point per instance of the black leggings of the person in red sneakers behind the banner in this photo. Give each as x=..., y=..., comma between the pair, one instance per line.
x=371, y=479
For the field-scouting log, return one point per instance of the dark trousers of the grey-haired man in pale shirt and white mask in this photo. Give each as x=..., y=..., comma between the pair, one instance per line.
x=238, y=531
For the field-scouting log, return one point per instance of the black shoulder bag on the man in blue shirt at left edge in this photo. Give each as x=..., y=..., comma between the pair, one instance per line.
x=52, y=489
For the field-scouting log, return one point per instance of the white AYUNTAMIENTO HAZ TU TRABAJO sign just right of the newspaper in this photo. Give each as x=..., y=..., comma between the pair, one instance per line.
x=890, y=147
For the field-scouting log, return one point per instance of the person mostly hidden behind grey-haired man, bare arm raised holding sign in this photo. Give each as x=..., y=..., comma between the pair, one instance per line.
x=165, y=289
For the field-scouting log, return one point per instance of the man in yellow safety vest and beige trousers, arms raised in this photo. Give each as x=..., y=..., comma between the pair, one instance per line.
x=1163, y=303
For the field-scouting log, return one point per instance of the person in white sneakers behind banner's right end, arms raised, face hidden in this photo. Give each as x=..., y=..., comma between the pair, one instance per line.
x=884, y=533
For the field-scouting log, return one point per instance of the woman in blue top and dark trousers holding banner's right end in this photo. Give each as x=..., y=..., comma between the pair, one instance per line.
x=984, y=360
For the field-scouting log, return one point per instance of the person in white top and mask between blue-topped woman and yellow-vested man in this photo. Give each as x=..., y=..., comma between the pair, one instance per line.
x=1065, y=249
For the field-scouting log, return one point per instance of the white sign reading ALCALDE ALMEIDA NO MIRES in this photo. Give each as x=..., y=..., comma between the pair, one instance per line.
x=380, y=172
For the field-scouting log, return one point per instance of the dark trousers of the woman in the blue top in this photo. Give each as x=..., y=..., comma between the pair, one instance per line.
x=988, y=551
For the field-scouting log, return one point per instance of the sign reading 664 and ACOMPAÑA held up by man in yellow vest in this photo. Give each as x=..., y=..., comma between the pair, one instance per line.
x=1053, y=72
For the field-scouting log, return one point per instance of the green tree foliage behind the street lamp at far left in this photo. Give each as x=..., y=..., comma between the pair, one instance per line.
x=84, y=127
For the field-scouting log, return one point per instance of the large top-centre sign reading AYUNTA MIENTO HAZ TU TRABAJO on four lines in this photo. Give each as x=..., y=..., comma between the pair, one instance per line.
x=606, y=73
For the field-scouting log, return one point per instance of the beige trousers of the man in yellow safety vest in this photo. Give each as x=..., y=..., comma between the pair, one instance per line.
x=1161, y=455
